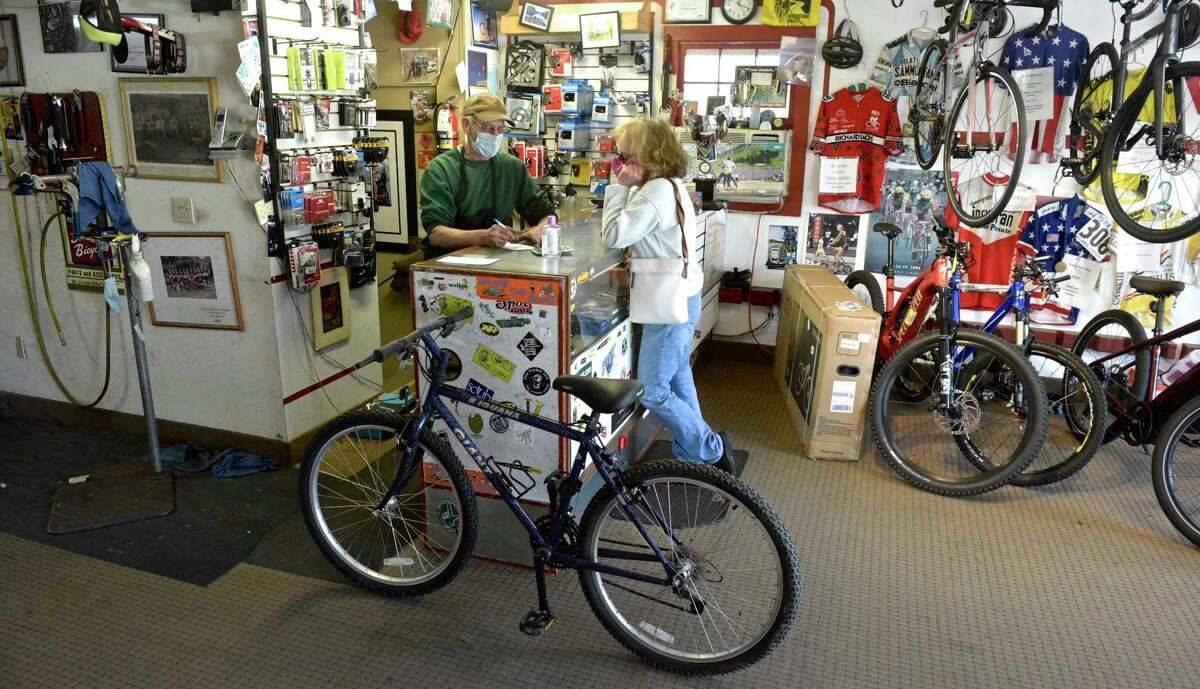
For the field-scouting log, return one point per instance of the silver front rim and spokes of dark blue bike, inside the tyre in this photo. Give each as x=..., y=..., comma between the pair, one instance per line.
x=345, y=547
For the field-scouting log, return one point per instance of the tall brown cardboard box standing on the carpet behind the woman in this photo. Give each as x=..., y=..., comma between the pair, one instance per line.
x=825, y=358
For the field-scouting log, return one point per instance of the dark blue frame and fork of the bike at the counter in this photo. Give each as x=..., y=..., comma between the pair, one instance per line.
x=434, y=408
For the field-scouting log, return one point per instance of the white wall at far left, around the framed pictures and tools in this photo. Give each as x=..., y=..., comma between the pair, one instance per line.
x=225, y=380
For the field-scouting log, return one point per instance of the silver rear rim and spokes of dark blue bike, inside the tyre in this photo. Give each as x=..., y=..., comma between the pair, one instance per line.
x=656, y=637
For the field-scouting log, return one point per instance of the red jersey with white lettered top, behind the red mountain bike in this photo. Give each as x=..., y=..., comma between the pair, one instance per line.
x=994, y=247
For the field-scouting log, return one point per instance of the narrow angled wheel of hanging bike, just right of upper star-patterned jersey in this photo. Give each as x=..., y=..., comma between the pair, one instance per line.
x=1093, y=110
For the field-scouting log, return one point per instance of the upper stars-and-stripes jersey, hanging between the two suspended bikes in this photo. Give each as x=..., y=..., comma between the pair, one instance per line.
x=1061, y=49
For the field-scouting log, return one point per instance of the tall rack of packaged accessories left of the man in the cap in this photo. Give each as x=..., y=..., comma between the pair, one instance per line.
x=315, y=110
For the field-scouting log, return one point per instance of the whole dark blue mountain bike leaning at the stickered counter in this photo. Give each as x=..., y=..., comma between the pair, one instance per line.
x=685, y=565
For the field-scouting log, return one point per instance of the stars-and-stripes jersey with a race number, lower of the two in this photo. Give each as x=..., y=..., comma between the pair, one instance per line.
x=1073, y=232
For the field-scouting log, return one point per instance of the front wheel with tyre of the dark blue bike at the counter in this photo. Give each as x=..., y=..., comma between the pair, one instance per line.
x=416, y=543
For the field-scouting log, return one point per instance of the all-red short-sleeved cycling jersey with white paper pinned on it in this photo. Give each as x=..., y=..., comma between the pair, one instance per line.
x=857, y=125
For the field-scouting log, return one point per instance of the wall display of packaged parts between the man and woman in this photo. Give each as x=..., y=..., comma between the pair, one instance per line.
x=569, y=100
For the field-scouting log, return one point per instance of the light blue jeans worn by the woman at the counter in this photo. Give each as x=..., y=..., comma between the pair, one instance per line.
x=664, y=370
